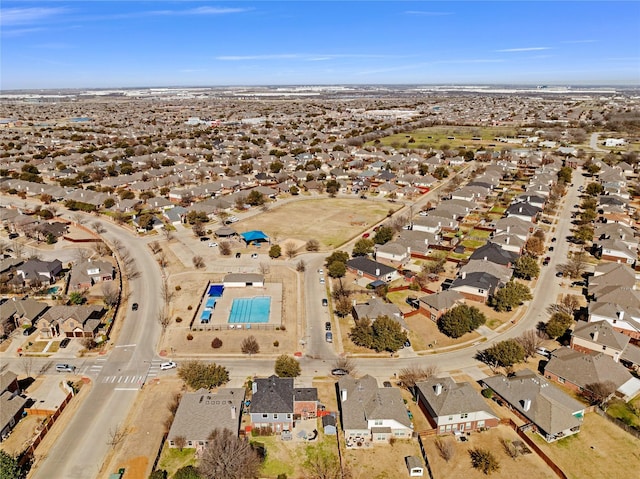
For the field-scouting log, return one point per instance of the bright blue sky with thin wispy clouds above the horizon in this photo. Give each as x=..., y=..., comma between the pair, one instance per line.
x=109, y=44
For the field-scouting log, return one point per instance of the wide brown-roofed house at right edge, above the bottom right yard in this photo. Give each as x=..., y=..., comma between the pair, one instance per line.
x=578, y=371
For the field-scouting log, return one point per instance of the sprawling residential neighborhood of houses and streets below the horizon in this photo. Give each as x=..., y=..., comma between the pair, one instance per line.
x=347, y=285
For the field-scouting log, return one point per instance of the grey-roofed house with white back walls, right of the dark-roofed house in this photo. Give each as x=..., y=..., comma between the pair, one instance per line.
x=370, y=413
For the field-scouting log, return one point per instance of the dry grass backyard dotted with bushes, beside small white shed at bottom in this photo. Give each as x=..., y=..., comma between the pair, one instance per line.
x=527, y=465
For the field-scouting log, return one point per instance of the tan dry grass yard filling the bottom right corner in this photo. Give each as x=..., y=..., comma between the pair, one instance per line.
x=600, y=449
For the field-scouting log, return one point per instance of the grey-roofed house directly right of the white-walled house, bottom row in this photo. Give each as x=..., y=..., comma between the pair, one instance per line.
x=451, y=406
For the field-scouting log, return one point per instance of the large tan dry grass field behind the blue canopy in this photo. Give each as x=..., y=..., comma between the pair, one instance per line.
x=332, y=221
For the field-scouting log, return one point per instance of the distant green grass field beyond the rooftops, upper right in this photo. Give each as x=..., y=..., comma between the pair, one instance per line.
x=453, y=136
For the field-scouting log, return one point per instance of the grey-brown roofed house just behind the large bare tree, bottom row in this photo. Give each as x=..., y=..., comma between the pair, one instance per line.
x=202, y=412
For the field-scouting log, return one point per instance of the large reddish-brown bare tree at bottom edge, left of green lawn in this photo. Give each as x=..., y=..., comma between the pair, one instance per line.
x=228, y=456
